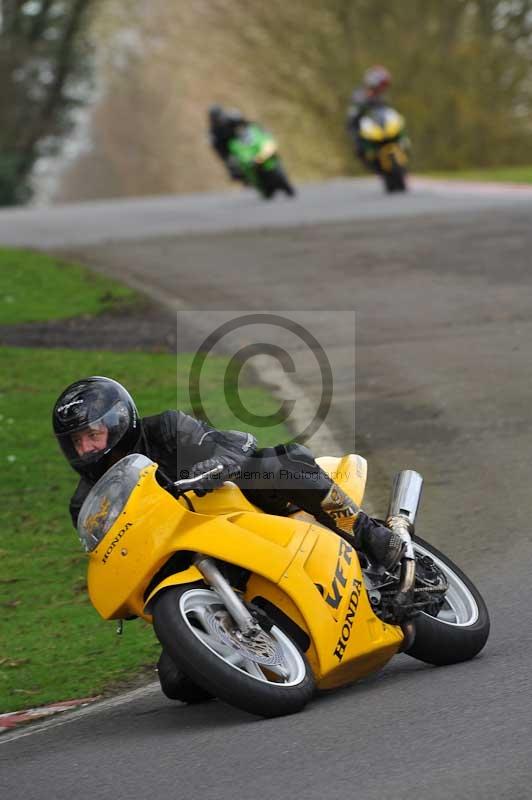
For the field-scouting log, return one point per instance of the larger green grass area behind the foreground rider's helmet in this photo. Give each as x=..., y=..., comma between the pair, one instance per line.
x=54, y=645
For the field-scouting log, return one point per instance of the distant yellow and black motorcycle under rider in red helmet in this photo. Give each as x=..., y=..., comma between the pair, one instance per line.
x=383, y=146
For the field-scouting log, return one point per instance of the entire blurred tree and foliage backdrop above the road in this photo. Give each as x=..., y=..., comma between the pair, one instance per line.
x=145, y=72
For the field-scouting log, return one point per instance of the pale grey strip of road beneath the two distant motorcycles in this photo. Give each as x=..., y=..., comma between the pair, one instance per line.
x=316, y=203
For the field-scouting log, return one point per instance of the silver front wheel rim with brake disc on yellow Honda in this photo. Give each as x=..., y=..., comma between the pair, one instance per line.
x=275, y=660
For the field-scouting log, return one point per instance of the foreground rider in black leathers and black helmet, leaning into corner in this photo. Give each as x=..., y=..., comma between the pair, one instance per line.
x=96, y=423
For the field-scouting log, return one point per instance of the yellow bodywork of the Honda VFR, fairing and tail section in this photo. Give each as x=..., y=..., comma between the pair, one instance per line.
x=307, y=572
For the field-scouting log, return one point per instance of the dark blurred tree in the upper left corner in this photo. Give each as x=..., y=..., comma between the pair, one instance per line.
x=44, y=67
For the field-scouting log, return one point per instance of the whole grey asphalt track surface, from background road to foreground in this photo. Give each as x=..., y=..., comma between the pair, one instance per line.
x=442, y=288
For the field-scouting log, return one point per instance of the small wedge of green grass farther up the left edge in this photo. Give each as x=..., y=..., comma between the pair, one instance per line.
x=35, y=287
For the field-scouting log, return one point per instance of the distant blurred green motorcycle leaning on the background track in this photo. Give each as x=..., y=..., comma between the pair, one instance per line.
x=254, y=153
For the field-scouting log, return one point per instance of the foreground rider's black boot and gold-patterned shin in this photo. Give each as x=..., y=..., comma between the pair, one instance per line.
x=382, y=546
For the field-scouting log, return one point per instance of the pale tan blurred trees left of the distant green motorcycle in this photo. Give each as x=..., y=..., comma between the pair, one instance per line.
x=160, y=67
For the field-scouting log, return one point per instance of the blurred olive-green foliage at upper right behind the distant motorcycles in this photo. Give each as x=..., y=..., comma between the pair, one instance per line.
x=462, y=72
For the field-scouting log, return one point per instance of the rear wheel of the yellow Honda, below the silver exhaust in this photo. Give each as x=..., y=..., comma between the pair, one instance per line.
x=461, y=628
